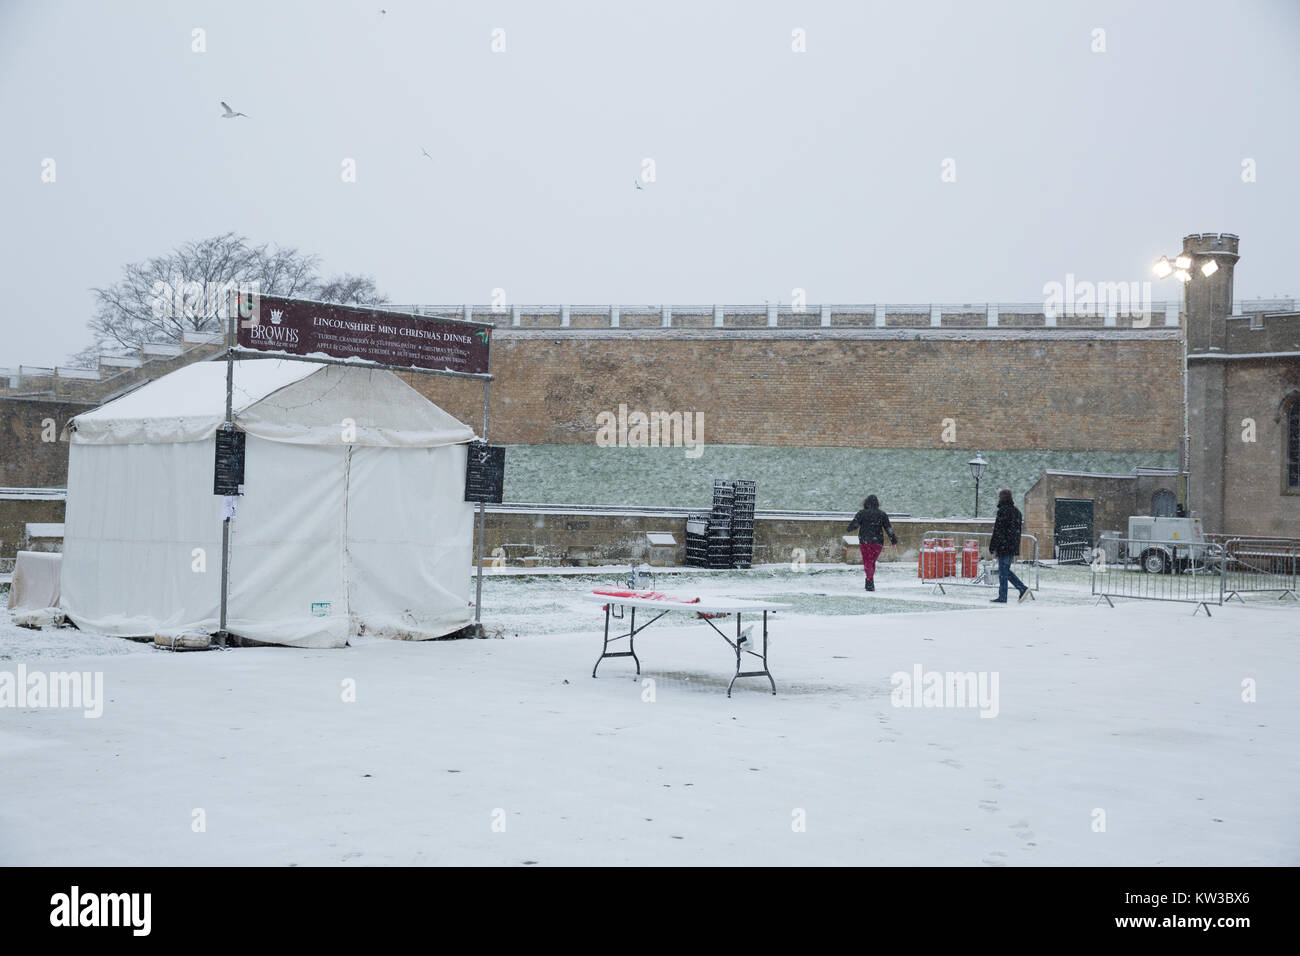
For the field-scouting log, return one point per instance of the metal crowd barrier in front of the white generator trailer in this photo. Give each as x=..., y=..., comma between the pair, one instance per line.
x=1146, y=570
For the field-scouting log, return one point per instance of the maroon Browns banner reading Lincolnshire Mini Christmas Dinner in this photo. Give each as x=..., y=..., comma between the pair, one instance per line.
x=297, y=327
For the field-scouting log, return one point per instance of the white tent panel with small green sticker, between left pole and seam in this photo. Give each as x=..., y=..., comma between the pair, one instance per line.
x=287, y=547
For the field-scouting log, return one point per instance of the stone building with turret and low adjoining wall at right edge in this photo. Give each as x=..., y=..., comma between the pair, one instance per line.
x=1242, y=445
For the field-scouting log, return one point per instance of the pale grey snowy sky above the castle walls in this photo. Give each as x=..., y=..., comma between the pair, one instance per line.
x=774, y=170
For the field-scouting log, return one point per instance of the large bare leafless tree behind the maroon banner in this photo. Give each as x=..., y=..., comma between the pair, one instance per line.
x=185, y=291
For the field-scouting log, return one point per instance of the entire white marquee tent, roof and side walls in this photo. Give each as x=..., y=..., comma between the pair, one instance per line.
x=353, y=517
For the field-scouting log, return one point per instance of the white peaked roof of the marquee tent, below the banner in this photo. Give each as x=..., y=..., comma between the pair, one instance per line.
x=294, y=403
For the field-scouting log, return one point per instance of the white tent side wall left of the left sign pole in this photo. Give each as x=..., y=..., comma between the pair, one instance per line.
x=142, y=539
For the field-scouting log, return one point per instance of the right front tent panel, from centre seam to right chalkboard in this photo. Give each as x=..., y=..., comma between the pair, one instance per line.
x=410, y=542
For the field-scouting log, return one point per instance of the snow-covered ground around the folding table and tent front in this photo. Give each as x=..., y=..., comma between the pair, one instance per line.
x=509, y=752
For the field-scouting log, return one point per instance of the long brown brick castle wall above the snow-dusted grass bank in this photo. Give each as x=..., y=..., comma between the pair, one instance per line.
x=1090, y=393
